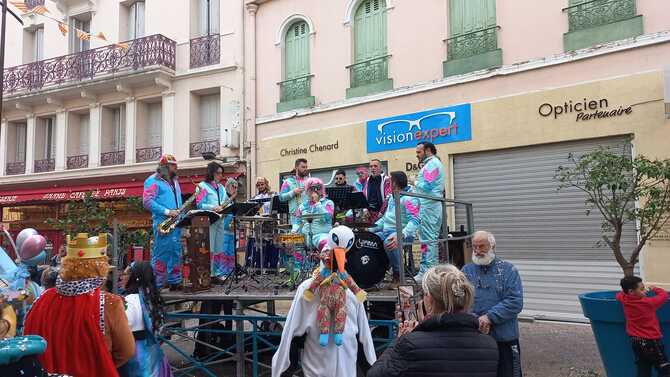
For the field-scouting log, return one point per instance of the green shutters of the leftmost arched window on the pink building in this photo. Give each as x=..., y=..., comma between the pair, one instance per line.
x=296, y=51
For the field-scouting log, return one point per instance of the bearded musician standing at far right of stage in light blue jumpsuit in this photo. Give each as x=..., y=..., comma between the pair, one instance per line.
x=429, y=182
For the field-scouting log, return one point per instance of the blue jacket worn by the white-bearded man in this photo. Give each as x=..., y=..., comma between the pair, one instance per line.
x=499, y=295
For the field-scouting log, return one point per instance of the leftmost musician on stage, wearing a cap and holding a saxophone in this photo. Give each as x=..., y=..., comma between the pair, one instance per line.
x=162, y=197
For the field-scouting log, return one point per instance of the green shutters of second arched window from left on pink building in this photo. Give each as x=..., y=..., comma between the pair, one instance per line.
x=370, y=30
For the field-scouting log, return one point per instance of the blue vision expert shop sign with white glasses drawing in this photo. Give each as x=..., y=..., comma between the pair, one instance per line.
x=439, y=126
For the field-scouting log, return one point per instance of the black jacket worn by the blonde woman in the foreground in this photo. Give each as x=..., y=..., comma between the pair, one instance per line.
x=446, y=346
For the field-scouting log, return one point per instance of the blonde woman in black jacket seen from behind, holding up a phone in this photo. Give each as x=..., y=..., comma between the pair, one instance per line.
x=447, y=341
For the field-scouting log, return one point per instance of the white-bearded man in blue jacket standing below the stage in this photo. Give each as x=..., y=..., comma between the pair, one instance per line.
x=498, y=300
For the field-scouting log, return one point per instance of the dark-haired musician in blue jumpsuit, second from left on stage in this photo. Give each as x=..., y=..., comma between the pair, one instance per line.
x=213, y=196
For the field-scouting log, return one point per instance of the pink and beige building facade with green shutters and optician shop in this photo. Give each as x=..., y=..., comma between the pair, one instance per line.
x=505, y=94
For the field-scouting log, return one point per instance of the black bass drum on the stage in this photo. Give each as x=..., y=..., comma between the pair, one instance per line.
x=367, y=261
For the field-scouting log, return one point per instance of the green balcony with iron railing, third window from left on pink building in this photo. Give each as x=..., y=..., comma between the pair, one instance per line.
x=472, y=51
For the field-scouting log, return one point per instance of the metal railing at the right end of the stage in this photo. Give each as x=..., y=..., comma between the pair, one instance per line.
x=446, y=203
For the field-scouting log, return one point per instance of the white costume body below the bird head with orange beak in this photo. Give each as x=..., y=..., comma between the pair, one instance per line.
x=329, y=361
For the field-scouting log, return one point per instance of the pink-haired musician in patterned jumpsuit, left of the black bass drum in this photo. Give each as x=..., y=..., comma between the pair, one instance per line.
x=317, y=204
